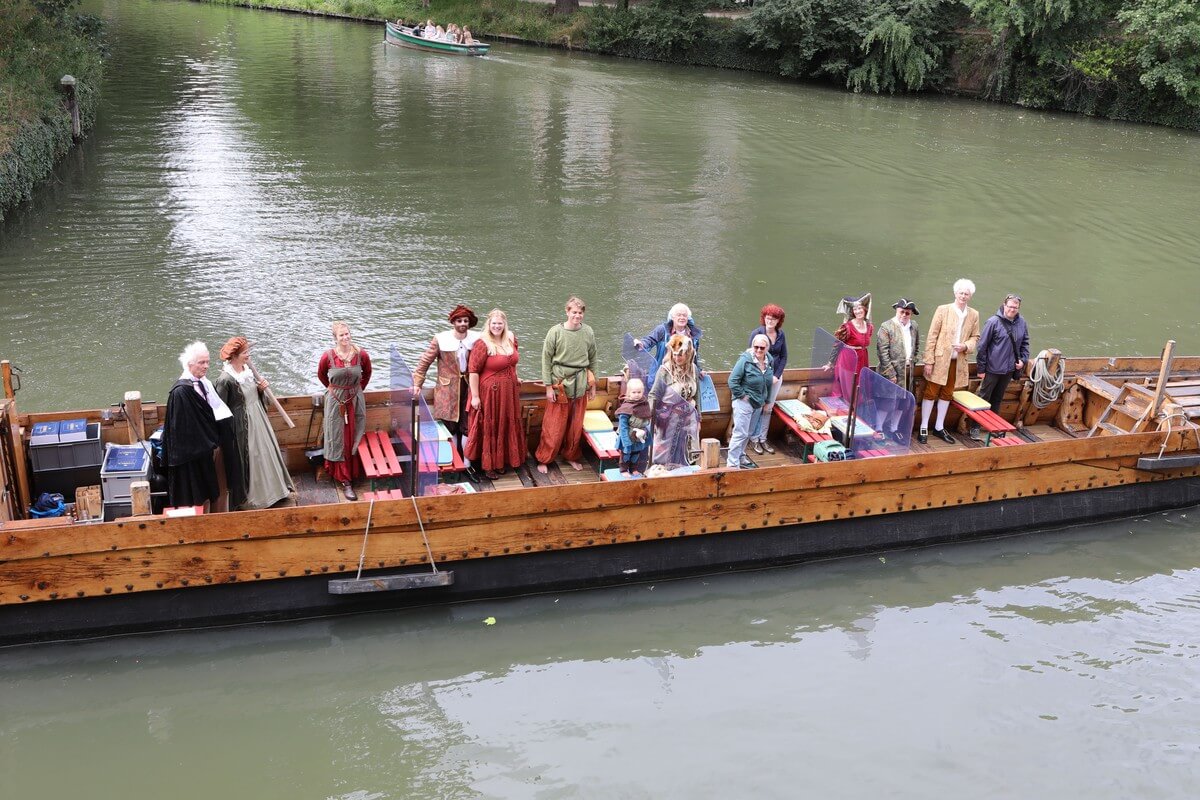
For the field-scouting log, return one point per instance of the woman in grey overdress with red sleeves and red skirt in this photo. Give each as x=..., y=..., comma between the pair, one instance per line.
x=345, y=371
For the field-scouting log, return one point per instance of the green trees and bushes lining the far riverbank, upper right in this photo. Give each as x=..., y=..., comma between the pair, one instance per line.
x=1136, y=61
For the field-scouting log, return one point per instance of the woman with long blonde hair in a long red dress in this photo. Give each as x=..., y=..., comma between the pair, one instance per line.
x=496, y=440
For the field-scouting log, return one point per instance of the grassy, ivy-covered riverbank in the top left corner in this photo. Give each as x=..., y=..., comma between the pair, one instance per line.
x=40, y=43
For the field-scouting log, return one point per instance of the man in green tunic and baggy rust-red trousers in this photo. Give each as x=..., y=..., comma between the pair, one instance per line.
x=568, y=369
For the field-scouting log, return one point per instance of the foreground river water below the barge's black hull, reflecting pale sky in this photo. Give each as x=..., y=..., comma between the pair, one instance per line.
x=837, y=675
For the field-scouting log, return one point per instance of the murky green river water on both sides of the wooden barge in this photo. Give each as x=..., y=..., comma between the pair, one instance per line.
x=263, y=175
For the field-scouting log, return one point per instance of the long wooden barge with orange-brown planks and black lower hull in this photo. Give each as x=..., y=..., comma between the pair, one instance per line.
x=1119, y=442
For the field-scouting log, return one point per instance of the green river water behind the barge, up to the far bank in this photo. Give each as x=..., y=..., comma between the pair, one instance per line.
x=266, y=175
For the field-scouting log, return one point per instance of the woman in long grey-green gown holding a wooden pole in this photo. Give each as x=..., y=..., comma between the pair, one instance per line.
x=263, y=479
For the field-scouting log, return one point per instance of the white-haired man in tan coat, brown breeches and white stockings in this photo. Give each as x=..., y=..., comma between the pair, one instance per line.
x=953, y=334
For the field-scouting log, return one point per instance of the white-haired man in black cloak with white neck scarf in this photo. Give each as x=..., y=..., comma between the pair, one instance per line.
x=191, y=441
